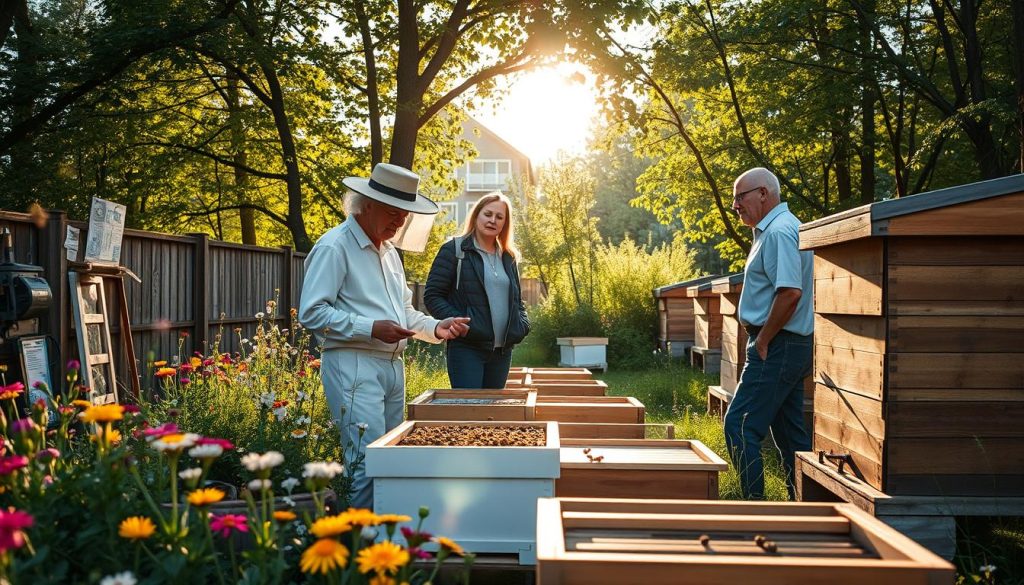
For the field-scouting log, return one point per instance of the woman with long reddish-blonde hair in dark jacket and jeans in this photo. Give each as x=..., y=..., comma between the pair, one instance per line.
x=477, y=275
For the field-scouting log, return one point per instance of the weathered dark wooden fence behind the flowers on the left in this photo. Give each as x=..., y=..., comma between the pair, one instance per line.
x=193, y=288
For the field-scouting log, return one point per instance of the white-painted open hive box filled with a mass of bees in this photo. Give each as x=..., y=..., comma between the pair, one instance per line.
x=485, y=498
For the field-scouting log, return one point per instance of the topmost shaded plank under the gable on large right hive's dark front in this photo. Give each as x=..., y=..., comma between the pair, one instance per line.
x=954, y=252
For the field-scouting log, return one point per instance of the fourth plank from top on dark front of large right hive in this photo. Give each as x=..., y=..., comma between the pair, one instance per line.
x=956, y=370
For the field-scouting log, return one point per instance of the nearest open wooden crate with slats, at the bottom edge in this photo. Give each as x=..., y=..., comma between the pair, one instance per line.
x=609, y=541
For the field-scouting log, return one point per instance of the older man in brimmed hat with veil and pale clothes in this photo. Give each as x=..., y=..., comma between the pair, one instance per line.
x=356, y=301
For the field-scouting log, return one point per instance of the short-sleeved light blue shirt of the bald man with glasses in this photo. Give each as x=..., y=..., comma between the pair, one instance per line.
x=776, y=262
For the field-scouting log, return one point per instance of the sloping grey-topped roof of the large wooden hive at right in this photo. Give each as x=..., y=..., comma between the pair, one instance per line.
x=879, y=219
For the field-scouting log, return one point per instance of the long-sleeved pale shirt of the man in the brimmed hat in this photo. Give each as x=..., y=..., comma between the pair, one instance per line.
x=350, y=284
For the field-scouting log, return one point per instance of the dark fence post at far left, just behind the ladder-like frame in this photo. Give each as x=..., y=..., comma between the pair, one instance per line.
x=55, y=264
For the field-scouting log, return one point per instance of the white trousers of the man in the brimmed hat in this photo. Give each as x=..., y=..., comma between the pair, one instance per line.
x=363, y=388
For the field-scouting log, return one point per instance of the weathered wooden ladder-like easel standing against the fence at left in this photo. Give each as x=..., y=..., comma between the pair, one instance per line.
x=94, y=332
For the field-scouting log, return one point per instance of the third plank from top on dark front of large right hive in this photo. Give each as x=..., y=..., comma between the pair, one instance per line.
x=956, y=335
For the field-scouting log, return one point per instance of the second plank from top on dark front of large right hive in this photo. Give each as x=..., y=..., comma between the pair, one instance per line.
x=956, y=283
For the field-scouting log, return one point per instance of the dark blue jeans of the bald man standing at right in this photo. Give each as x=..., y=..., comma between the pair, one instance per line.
x=771, y=397
